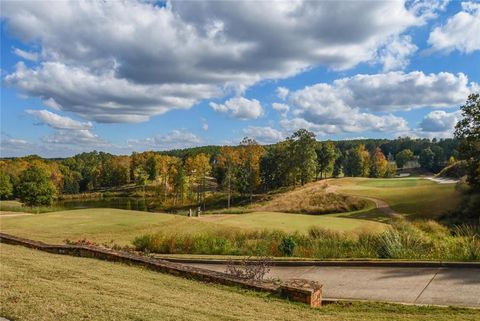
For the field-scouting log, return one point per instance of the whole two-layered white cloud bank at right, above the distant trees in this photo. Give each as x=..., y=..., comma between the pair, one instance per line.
x=366, y=102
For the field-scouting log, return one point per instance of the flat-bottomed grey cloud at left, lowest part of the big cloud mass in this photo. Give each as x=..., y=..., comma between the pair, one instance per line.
x=103, y=97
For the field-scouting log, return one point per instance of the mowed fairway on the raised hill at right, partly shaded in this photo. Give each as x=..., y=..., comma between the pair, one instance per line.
x=416, y=197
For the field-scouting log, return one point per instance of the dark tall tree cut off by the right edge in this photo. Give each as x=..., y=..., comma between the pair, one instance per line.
x=467, y=131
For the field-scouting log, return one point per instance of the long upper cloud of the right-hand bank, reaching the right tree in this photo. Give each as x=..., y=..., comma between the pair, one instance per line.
x=387, y=92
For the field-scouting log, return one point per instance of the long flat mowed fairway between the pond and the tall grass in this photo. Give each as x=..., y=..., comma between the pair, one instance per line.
x=122, y=226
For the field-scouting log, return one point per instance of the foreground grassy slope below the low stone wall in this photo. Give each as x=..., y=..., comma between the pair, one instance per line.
x=41, y=286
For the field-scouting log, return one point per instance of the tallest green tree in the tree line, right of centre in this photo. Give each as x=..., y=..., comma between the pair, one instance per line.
x=303, y=144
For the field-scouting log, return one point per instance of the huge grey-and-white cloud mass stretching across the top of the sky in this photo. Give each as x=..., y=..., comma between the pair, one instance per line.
x=159, y=58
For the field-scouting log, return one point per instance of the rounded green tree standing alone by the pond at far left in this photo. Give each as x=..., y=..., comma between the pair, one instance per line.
x=36, y=187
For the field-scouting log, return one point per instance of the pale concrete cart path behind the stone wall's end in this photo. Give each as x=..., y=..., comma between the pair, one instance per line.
x=436, y=286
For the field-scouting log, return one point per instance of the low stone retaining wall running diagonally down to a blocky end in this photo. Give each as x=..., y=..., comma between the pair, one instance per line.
x=295, y=290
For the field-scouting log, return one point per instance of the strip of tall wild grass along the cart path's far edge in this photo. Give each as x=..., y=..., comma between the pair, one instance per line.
x=425, y=240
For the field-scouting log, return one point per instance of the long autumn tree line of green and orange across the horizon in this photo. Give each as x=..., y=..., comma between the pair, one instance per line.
x=181, y=176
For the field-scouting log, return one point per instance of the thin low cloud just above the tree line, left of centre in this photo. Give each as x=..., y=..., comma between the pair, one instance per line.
x=173, y=140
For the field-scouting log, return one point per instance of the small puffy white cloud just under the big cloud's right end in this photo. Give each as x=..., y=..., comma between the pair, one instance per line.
x=395, y=55
